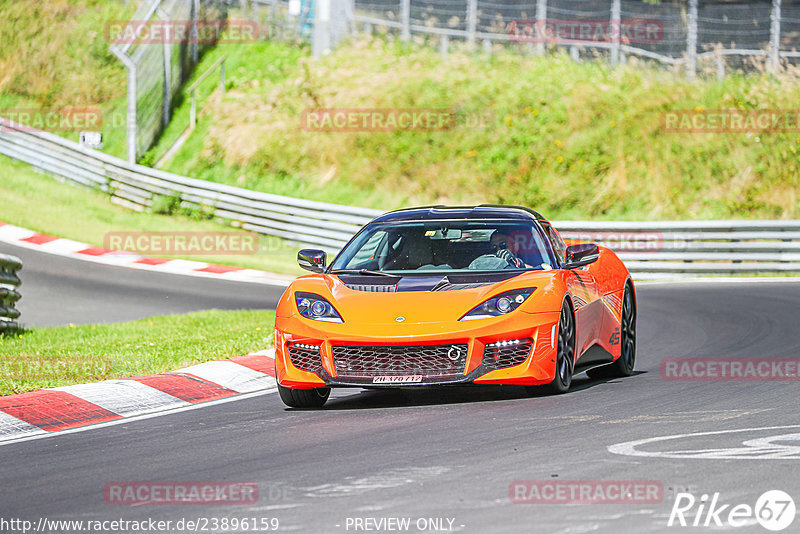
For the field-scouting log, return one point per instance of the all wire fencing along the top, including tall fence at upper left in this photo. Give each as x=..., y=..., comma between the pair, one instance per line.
x=696, y=35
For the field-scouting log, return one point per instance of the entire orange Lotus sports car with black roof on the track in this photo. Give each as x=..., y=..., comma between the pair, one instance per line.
x=449, y=295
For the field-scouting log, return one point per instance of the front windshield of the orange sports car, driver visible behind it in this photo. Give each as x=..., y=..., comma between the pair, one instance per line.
x=416, y=247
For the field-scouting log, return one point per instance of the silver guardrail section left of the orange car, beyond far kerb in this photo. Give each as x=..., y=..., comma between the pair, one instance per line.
x=306, y=222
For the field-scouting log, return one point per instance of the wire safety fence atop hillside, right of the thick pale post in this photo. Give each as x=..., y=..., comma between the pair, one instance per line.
x=698, y=35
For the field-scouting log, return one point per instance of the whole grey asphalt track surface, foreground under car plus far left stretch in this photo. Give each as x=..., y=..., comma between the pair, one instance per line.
x=445, y=453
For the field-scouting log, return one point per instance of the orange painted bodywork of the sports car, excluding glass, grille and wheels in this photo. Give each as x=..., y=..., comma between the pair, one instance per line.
x=432, y=317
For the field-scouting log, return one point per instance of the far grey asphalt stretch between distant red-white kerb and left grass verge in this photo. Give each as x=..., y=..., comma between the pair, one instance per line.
x=58, y=290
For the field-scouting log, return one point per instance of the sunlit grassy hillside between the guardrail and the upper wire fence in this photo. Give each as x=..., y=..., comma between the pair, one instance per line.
x=573, y=140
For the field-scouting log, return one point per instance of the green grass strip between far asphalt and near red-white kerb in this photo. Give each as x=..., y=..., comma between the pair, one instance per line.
x=60, y=356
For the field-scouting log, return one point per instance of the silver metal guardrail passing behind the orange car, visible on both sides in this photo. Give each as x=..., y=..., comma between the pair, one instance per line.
x=649, y=249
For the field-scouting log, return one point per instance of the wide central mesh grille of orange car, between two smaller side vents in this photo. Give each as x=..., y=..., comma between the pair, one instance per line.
x=431, y=362
